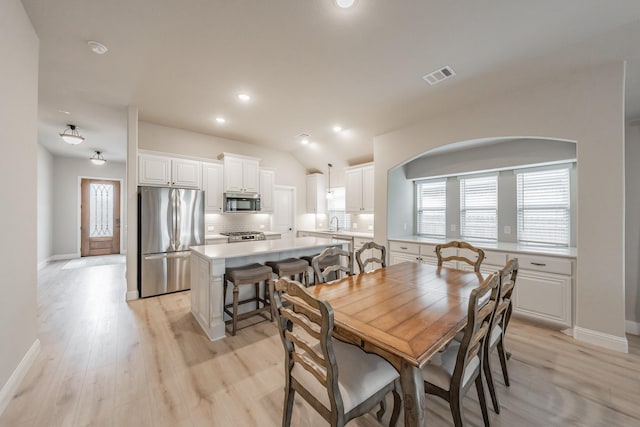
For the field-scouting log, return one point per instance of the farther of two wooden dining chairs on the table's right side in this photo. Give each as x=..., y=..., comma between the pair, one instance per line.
x=498, y=329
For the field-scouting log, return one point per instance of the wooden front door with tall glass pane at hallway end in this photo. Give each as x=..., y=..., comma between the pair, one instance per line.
x=100, y=210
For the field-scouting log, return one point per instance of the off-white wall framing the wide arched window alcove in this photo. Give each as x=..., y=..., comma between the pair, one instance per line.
x=587, y=107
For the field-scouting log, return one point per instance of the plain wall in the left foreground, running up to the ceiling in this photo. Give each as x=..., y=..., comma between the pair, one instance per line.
x=18, y=173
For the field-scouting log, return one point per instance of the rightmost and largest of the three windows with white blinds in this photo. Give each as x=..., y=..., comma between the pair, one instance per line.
x=544, y=206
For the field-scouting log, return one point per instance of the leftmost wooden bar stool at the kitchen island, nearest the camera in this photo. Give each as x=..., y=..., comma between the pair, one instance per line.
x=251, y=274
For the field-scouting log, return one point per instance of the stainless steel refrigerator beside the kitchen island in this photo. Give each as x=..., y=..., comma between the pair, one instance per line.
x=170, y=220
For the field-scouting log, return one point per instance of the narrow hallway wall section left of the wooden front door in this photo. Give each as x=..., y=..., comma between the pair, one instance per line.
x=45, y=205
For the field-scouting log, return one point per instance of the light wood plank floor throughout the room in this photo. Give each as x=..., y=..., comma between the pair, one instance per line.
x=108, y=363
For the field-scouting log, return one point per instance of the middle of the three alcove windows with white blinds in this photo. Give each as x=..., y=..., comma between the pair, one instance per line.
x=479, y=207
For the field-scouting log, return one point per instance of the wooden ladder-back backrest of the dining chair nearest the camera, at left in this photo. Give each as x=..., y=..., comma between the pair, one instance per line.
x=306, y=335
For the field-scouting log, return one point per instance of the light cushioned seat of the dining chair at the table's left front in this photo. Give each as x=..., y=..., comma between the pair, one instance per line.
x=360, y=376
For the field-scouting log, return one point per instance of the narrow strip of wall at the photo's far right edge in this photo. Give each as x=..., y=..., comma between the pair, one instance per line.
x=633, y=227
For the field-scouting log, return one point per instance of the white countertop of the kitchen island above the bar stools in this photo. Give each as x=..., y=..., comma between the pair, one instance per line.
x=243, y=249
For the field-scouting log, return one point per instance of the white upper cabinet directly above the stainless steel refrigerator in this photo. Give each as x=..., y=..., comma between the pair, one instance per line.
x=168, y=171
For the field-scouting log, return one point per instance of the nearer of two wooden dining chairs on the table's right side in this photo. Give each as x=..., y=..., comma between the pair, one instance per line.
x=450, y=373
